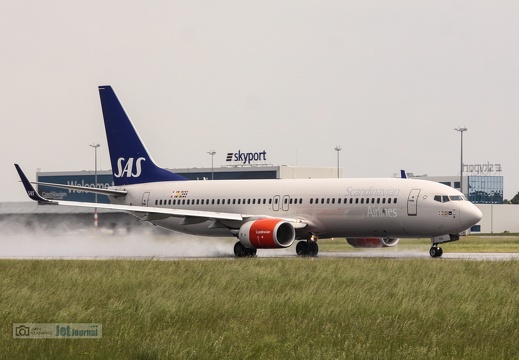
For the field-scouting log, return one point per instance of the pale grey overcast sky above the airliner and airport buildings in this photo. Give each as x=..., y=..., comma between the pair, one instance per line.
x=388, y=81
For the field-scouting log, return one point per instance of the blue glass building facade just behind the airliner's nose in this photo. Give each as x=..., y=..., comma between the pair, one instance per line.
x=486, y=189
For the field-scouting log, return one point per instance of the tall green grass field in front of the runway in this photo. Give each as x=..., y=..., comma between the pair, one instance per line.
x=266, y=308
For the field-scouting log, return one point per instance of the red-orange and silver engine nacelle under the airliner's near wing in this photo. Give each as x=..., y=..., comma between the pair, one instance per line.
x=267, y=234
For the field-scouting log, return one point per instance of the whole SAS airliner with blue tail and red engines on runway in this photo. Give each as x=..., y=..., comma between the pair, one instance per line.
x=272, y=213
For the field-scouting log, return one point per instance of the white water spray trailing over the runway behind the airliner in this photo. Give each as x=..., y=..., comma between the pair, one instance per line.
x=69, y=241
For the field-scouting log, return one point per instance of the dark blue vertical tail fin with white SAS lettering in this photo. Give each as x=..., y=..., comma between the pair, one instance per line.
x=131, y=163
